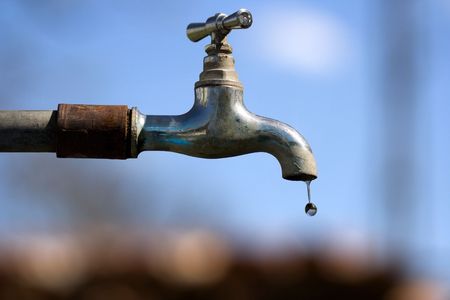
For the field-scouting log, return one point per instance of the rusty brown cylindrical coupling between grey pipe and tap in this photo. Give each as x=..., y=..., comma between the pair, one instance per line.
x=93, y=131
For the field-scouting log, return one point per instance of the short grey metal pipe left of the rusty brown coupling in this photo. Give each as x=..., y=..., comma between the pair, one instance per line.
x=28, y=131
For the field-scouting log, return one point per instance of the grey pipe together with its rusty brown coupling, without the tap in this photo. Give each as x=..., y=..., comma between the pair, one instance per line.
x=74, y=130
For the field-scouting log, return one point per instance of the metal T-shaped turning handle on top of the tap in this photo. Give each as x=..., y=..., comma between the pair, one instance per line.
x=219, y=25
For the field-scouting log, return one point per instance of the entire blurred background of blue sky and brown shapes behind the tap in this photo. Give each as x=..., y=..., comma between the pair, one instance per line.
x=366, y=82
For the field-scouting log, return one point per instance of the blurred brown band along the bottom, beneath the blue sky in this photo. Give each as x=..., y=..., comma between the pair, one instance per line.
x=189, y=265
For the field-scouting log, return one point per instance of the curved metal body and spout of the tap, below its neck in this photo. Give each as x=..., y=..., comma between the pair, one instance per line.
x=219, y=125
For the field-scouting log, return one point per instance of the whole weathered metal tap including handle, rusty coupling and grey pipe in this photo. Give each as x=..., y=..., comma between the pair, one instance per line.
x=217, y=126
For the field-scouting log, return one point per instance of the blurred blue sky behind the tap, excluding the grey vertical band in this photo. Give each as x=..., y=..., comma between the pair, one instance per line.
x=315, y=65
